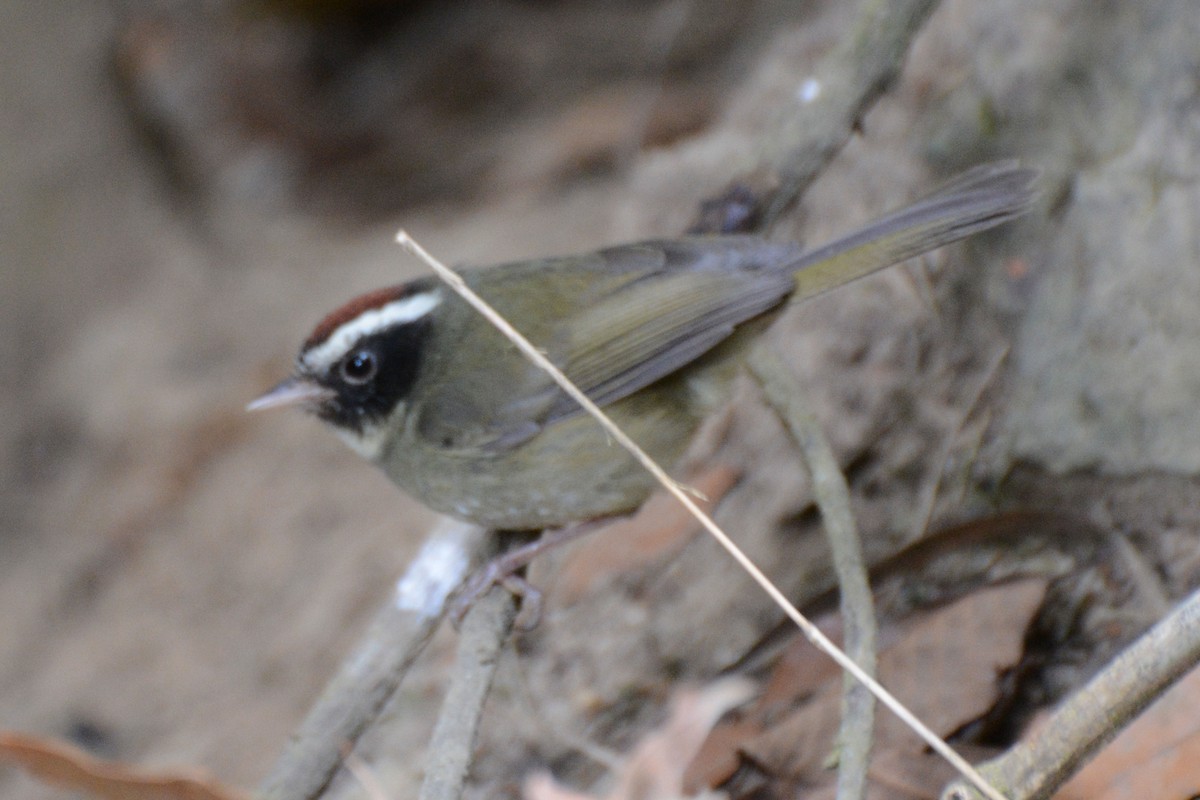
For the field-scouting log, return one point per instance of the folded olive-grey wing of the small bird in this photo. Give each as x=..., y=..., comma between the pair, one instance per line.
x=635, y=314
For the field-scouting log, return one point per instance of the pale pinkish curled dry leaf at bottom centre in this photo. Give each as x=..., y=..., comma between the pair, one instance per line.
x=656, y=769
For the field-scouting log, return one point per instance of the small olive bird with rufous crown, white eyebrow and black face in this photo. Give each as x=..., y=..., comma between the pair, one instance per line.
x=417, y=382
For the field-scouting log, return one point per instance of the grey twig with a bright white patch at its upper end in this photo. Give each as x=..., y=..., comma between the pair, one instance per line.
x=375, y=669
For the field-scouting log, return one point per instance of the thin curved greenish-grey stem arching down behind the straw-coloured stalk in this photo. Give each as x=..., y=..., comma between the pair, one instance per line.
x=832, y=496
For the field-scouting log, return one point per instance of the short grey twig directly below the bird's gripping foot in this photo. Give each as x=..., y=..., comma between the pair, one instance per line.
x=485, y=629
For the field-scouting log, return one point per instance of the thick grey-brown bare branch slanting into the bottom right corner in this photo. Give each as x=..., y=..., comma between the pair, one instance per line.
x=1096, y=714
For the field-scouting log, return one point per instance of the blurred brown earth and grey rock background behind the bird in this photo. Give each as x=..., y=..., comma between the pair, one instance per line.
x=188, y=188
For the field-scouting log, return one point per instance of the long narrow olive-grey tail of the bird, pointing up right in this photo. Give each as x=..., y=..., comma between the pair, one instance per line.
x=979, y=200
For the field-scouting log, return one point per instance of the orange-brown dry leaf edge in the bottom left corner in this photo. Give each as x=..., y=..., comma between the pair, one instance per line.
x=68, y=767
